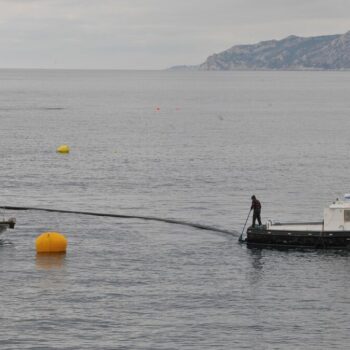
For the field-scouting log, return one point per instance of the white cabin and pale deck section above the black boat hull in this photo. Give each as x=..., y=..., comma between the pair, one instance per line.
x=335, y=218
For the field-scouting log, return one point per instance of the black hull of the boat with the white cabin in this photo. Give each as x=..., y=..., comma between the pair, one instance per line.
x=303, y=239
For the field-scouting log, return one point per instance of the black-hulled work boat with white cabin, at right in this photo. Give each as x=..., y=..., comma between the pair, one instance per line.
x=332, y=232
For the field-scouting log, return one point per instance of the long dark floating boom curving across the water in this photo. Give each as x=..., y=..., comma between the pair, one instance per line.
x=123, y=216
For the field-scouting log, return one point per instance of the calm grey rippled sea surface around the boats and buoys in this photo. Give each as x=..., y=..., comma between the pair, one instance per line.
x=187, y=146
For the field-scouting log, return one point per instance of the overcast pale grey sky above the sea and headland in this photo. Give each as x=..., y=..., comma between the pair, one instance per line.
x=152, y=34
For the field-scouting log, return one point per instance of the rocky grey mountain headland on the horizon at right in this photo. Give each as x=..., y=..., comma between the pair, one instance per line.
x=328, y=52
